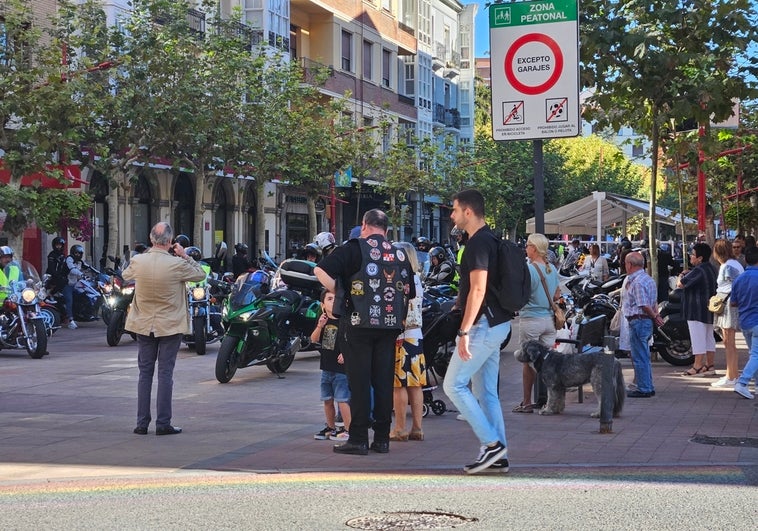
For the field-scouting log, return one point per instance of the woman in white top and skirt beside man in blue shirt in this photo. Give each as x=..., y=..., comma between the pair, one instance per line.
x=728, y=319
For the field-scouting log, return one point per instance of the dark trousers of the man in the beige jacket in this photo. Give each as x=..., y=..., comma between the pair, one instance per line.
x=163, y=350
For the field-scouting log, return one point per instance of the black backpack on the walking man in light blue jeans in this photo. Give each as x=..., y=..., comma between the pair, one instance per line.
x=512, y=284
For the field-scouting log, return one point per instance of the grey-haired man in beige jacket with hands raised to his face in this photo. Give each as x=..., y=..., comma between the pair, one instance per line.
x=159, y=316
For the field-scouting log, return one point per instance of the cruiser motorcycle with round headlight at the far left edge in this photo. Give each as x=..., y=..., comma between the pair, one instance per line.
x=21, y=326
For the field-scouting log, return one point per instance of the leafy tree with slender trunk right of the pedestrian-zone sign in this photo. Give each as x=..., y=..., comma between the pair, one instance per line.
x=657, y=61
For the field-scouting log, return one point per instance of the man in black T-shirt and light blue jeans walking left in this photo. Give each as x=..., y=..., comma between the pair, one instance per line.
x=484, y=326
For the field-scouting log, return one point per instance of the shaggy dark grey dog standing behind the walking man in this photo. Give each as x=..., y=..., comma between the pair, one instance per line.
x=561, y=371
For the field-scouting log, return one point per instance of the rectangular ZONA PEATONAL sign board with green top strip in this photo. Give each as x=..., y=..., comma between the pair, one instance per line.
x=534, y=50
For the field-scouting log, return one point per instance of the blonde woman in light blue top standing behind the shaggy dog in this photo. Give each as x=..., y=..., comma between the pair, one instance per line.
x=536, y=319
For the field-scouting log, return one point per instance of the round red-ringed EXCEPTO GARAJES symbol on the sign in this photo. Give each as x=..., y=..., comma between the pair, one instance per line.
x=541, y=54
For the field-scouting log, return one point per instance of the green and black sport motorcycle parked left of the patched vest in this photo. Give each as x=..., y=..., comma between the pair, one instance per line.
x=265, y=326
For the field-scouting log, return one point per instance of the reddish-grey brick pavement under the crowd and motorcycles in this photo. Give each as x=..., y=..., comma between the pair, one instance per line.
x=71, y=414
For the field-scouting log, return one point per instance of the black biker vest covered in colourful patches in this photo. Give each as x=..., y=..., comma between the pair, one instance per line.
x=379, y=290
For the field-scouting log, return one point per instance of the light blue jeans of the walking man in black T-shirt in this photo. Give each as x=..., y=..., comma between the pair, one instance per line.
x=480, y=405
